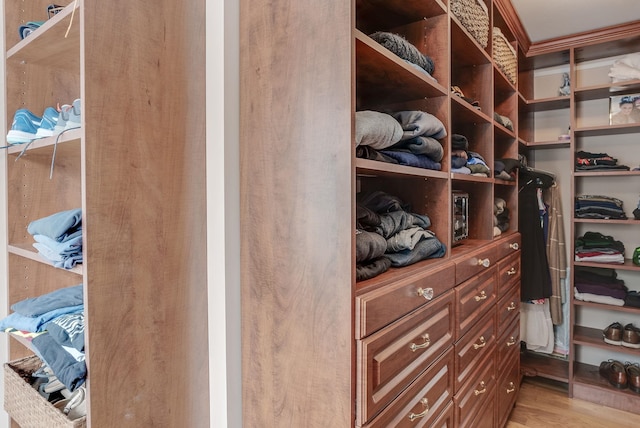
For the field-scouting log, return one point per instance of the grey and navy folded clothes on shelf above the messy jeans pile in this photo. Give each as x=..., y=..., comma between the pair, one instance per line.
x=405, y=137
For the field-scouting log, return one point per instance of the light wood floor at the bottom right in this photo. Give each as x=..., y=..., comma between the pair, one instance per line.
x=542, y=404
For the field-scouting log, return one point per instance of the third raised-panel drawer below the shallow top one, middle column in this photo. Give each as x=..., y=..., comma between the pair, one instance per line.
x=475, y=395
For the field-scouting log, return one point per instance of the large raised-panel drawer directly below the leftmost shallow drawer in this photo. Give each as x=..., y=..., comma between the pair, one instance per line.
x=389, y=360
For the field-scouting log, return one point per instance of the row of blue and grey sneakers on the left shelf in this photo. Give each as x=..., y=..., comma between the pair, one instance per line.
x=27, y=126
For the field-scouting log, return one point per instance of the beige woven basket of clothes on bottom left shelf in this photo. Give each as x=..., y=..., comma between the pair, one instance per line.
x=25, y=405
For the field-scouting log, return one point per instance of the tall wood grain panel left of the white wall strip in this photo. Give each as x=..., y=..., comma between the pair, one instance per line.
x=144, y=149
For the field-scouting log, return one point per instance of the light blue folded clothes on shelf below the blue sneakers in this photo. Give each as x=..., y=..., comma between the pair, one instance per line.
x=59, y=238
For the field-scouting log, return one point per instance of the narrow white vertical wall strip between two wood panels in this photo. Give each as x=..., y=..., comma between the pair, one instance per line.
x=223, y=206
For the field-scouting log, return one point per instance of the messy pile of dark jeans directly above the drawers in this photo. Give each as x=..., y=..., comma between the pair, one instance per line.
x=389, y=234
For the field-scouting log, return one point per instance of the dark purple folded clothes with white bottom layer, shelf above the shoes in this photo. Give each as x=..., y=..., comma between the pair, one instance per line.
x=599, y=286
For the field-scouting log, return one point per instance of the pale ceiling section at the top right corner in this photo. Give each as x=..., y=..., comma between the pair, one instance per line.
x=549, y=19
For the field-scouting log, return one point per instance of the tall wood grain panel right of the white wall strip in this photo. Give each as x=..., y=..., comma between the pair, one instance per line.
x=296, y=212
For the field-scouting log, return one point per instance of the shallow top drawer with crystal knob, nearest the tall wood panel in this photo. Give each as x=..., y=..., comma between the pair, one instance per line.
x=381, y=307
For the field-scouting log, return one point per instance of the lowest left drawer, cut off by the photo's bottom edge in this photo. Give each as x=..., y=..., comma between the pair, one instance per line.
x=424, y=401
